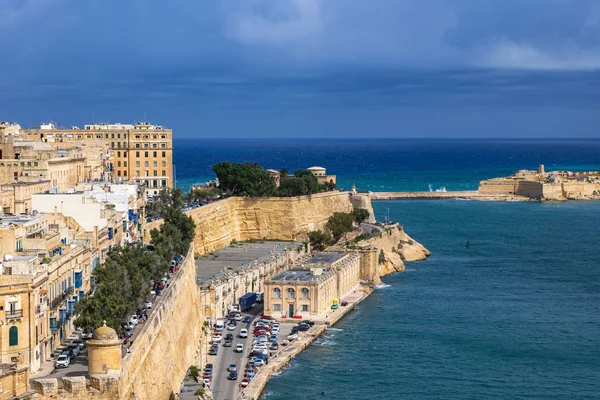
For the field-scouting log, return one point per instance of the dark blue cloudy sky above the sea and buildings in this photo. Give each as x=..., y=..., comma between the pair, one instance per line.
x=306, y=68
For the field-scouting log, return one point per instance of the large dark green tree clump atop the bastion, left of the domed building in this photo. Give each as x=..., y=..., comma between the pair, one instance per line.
x=244, y=179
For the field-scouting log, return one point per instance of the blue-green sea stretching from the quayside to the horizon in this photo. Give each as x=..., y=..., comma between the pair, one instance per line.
x=516, y=315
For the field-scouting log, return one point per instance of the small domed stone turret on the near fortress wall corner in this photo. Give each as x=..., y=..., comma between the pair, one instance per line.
x=104, y=351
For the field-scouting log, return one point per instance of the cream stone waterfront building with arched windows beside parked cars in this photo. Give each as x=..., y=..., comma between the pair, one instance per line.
x=312, y=286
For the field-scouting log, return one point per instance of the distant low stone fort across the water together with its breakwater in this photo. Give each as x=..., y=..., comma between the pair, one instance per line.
x=522, y=185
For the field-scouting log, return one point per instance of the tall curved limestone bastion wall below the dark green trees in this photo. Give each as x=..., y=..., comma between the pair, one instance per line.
x=238, y=218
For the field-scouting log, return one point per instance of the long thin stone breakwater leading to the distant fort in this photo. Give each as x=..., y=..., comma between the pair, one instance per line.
x=465, y=195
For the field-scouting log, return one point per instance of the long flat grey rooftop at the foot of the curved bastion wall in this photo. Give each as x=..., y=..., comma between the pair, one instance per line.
x=241, y=254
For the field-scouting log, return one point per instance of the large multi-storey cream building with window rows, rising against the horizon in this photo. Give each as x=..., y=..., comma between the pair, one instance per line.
x=141, y=153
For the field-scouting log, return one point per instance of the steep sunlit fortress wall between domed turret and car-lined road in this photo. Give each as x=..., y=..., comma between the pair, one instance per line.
x=169, y=341
